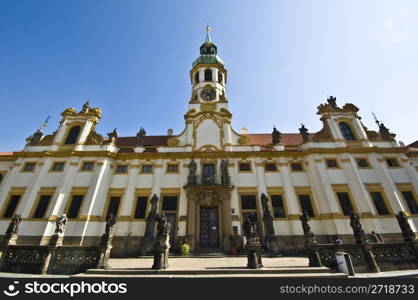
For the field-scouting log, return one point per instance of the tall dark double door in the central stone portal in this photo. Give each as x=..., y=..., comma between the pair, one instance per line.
x=209, y=227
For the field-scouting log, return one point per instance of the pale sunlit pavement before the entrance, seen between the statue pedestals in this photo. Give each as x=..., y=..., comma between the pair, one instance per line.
x=196, y=263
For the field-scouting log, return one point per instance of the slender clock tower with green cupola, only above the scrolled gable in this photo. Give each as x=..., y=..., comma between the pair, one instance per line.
x=208, y=77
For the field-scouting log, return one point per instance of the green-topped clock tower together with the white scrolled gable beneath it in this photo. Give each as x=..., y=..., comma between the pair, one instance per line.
x=208, y=120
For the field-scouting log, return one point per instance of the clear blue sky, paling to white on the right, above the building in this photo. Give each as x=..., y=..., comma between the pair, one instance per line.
x=132, y=59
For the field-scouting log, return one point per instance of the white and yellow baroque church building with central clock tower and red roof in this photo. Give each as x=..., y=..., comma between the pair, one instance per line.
x=209, y=177
